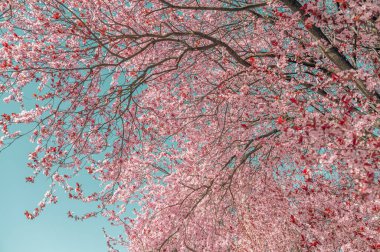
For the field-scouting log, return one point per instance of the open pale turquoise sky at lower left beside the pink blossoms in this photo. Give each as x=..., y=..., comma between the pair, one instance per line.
x=52, y=231
